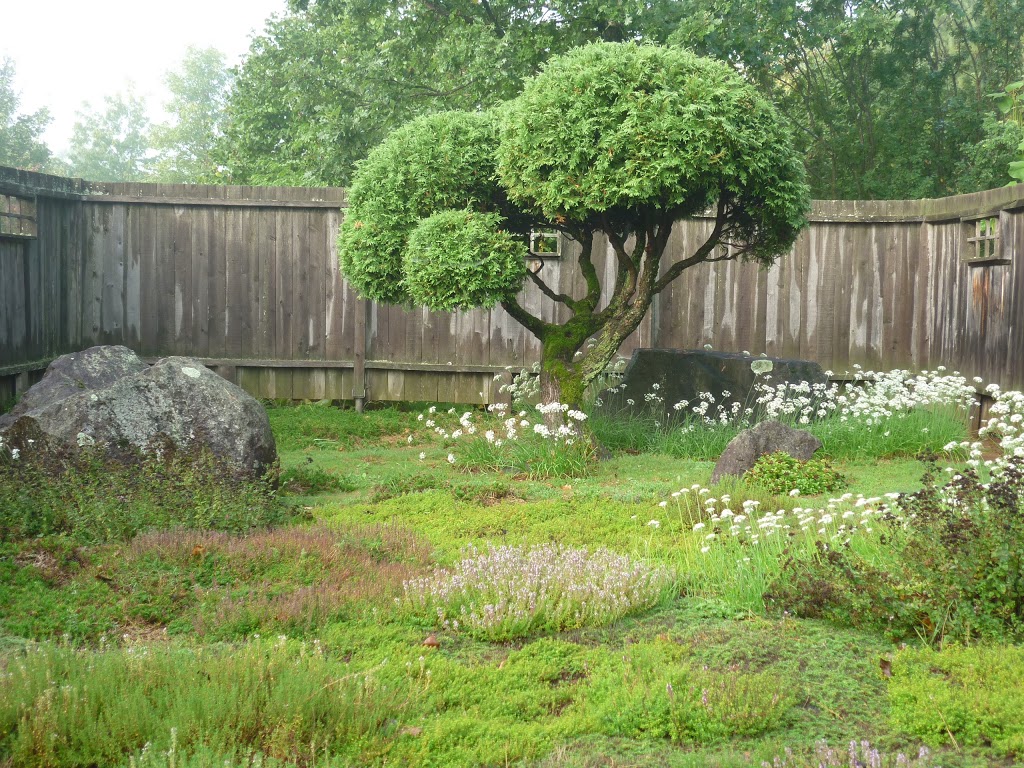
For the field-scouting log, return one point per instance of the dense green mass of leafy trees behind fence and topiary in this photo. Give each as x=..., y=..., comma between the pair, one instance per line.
x=886, y=96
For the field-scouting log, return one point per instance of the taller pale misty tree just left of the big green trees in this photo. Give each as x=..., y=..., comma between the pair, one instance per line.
x=199, y=93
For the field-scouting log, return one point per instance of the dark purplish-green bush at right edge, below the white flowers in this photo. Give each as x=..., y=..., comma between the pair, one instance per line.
x=955, y=569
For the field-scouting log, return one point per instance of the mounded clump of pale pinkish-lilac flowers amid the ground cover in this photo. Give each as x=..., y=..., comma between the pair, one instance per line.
x=511, y=592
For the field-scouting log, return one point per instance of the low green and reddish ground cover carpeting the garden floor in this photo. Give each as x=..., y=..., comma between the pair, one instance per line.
x=286, y=646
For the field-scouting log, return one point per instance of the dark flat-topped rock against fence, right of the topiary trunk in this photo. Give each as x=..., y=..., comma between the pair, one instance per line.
x=684, y=375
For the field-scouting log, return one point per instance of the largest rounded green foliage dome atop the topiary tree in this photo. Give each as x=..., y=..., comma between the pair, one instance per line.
x=620, y=130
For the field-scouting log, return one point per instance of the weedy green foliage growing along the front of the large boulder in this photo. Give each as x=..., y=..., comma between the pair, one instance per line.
x=94, y=499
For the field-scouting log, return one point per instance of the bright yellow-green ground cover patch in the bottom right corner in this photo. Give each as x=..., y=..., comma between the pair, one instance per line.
x=962, y=697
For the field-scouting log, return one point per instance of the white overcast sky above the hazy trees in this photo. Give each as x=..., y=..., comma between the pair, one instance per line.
x=70, y=52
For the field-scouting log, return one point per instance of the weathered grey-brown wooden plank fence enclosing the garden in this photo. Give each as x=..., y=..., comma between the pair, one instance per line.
x=247, y=280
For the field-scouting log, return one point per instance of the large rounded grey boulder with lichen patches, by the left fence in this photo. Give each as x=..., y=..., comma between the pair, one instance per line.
x=108, y=398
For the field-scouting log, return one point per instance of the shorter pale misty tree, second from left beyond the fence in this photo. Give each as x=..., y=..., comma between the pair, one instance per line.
x=113, y=145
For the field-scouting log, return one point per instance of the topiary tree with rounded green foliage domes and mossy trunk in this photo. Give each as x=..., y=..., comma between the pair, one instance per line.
x=613, y=139
